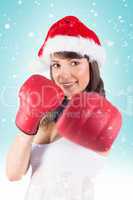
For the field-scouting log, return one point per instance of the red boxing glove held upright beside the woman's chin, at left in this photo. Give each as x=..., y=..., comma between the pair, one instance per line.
x=38, y=95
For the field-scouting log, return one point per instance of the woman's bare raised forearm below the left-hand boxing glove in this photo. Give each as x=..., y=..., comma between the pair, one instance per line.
x=18, y=156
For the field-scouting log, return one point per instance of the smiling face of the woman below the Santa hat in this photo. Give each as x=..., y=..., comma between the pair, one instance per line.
x=70, y=74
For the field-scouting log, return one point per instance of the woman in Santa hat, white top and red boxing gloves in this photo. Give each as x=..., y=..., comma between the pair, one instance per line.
x=62, y=166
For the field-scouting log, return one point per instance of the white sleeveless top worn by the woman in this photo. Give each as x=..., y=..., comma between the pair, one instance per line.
x=63, y=170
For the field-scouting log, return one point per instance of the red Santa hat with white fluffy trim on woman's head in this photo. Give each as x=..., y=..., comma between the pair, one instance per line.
x=69, y=34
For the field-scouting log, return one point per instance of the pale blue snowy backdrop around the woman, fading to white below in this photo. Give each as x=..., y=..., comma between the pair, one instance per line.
x=23, y=27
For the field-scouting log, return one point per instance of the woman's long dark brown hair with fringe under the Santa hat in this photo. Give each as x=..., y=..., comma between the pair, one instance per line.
x=95, y=84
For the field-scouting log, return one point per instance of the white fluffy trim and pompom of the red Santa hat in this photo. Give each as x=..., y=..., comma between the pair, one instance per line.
x=79, y=44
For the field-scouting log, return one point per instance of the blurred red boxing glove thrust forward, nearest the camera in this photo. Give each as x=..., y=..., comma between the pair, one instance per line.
x=91, y=121
